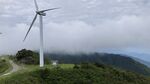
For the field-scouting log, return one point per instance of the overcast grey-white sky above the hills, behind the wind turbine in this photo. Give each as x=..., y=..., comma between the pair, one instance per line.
x=119, y=26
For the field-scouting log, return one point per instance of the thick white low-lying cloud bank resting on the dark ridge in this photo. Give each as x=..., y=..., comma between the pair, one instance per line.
x=76, y=36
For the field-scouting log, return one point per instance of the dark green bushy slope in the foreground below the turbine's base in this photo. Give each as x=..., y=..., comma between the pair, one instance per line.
x=83, y=74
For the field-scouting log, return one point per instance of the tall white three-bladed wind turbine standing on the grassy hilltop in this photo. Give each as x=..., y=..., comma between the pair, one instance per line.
x=39, y=13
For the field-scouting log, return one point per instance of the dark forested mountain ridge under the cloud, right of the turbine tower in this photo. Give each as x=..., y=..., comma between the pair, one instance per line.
x=116, y=60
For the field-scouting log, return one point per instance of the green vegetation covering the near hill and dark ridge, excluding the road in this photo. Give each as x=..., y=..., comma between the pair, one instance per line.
x=78, y=69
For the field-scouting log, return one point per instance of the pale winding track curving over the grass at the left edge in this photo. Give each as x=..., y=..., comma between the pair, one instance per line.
x=15, y=68
